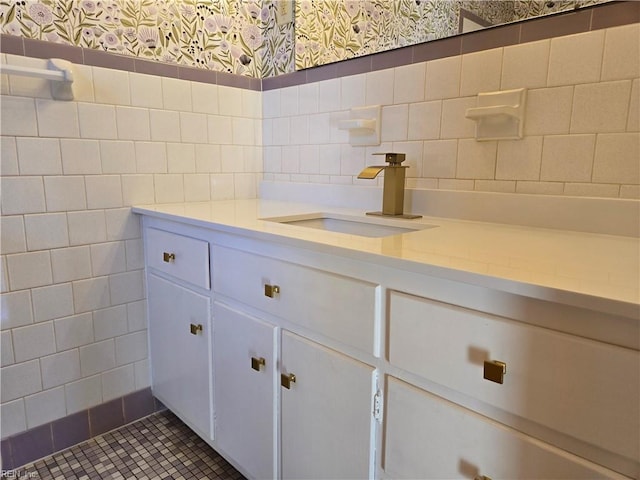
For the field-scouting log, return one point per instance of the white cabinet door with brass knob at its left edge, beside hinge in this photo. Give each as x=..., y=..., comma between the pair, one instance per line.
x=325, y=414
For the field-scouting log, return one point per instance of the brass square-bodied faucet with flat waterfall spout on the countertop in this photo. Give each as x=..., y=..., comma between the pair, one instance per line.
x=393, y=190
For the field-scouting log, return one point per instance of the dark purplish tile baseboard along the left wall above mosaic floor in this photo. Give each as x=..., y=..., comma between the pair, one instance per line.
x=44, y=440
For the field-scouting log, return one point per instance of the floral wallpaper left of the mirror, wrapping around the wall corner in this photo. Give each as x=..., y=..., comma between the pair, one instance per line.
x=234, y=36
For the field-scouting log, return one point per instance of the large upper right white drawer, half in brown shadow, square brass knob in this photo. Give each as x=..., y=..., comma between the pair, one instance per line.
x=583, y=388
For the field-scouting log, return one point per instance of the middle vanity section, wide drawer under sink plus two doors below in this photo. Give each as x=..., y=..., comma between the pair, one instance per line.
x=325, y=396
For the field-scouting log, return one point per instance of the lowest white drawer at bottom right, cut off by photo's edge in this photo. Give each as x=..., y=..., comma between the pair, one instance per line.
x=428, y=437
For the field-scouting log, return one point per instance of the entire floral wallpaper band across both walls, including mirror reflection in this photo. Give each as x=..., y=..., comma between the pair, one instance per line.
x=243, y=36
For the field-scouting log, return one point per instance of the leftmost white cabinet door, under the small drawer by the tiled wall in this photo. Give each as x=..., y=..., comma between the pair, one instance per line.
x=180, y=360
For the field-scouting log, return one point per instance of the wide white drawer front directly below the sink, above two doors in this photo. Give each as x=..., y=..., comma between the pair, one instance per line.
x=336, y=306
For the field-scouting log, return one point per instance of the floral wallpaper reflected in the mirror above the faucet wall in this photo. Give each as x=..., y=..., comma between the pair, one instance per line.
x=332, y=30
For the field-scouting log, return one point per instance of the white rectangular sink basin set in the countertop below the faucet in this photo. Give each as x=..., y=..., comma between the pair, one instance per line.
x=352, y=225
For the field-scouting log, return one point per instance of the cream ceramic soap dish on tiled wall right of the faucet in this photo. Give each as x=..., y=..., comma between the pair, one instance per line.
x=499, y=115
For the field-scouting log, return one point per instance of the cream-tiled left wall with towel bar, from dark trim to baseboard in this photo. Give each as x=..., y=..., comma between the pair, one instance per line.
x=73, y=304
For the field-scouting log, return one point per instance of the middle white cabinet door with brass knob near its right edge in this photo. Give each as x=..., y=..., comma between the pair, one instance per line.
x=244, y=370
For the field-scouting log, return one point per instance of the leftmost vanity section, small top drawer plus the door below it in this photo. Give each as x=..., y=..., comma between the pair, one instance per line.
x=179, y=326
